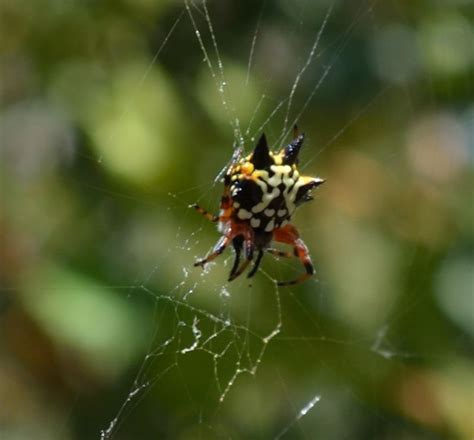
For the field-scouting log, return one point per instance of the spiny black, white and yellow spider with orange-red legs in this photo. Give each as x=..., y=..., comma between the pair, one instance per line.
x=261, y=192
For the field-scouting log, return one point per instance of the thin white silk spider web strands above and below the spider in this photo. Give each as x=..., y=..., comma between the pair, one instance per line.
x=232, y=338
